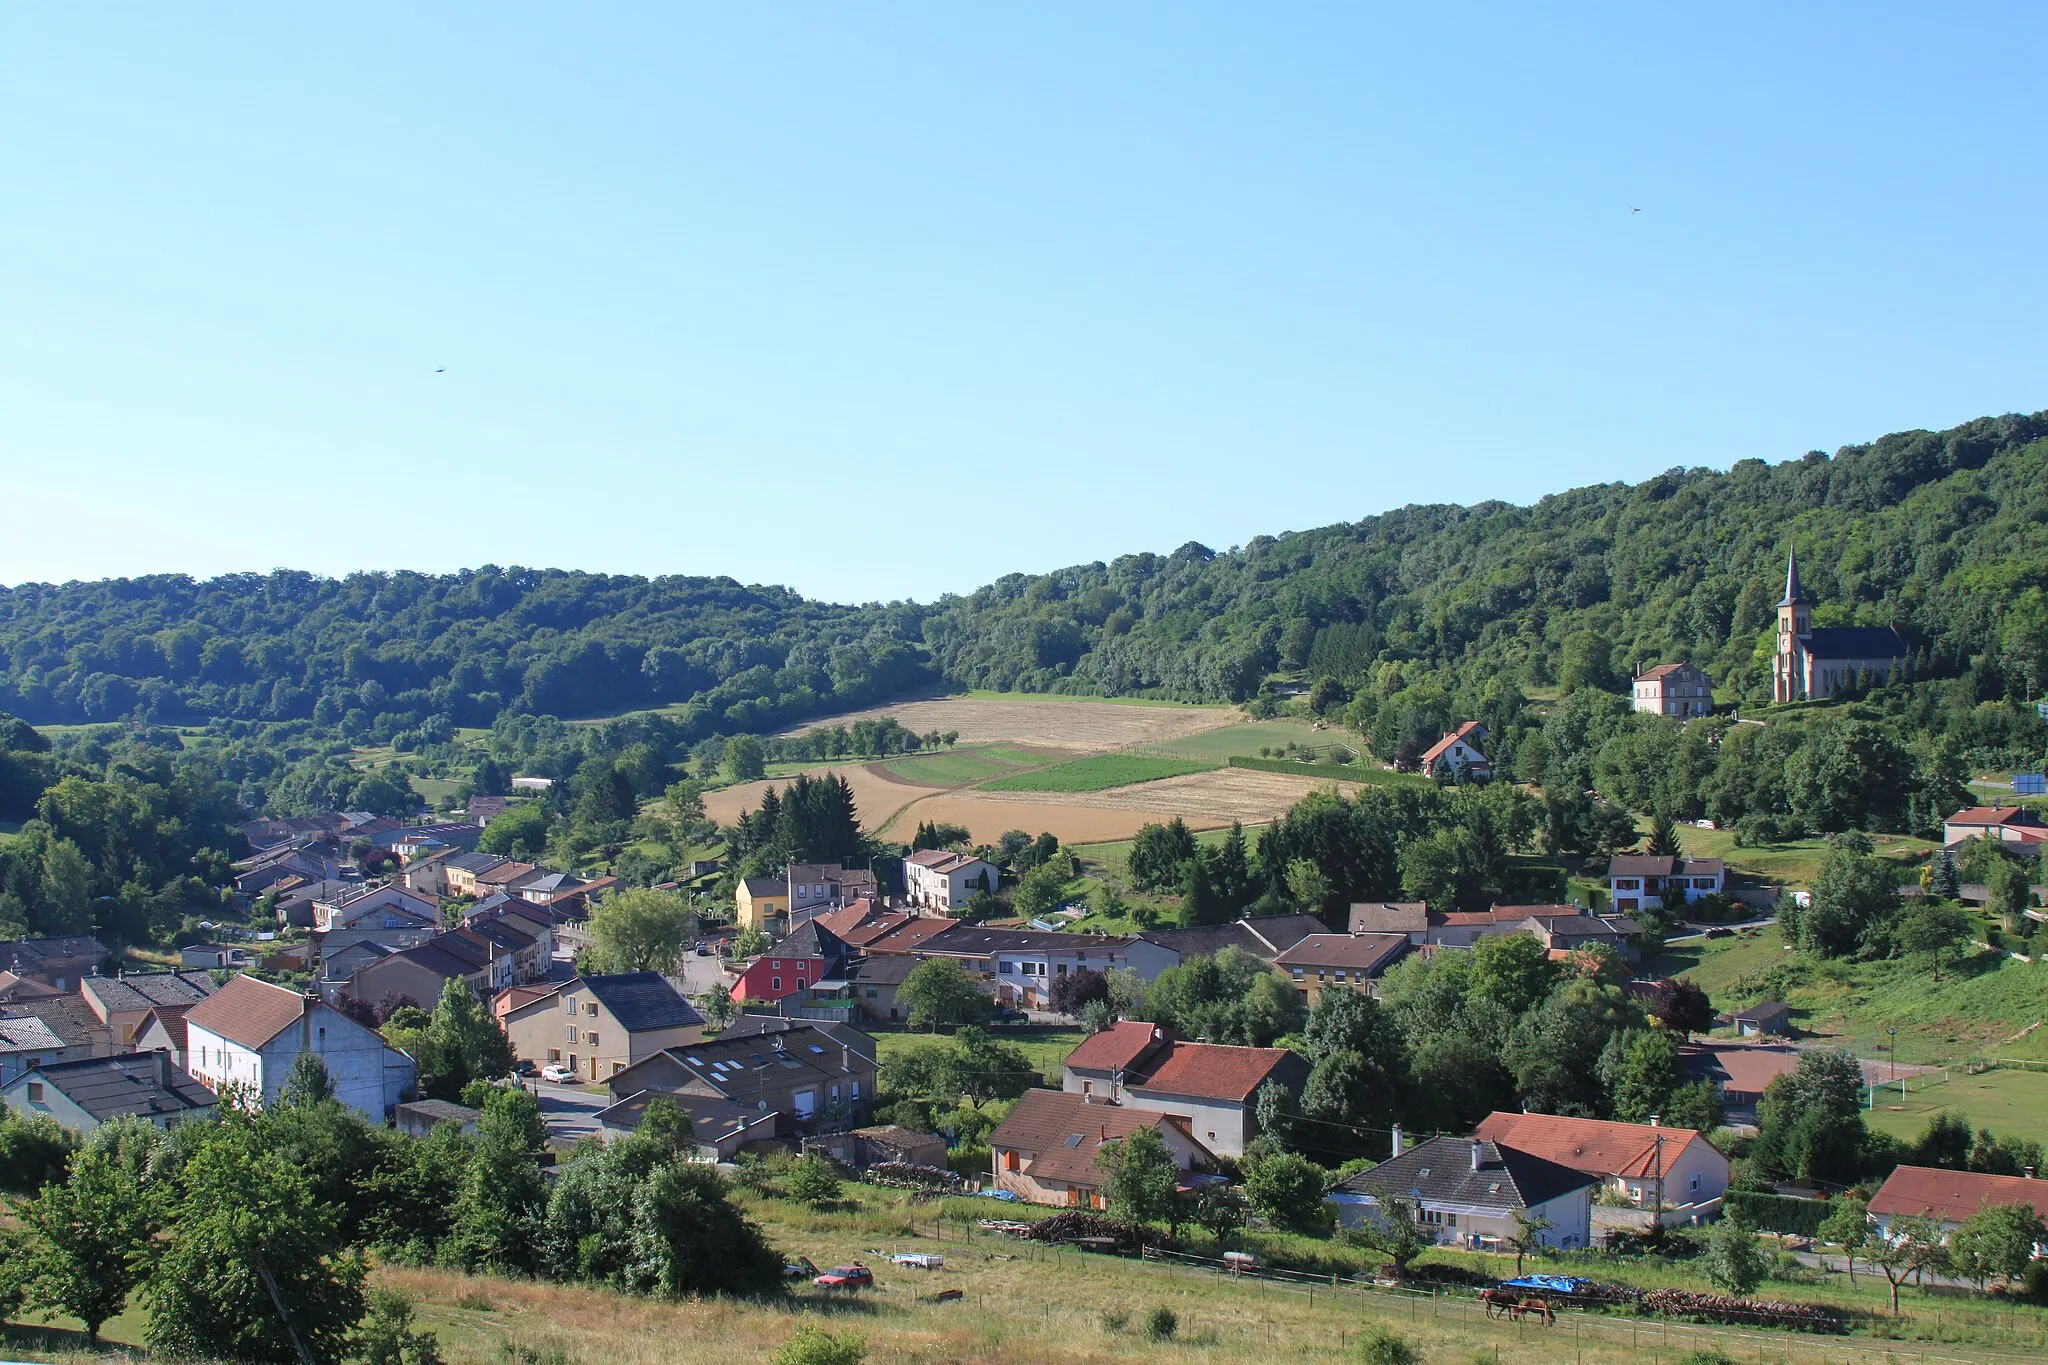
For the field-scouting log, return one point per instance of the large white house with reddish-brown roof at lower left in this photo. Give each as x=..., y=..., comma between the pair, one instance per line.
x=251, y=1032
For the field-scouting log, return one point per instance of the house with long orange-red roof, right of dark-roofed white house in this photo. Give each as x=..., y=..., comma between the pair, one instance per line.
x=1646, y=1163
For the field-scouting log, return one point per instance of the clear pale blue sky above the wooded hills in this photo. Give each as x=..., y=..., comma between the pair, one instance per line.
x=894, y=300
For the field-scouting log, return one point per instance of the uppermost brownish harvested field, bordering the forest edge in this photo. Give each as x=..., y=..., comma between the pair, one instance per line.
x=1054, y=723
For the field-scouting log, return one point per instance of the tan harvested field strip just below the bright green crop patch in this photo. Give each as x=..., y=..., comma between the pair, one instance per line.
x=1207, y=801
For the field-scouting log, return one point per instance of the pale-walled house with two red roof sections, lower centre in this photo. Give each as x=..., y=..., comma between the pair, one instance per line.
x=1207, y=1088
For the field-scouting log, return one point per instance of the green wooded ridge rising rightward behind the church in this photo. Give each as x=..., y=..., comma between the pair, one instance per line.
x=1936, y=533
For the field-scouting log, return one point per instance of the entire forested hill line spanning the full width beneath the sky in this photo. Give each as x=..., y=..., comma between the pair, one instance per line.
x=1938, y=533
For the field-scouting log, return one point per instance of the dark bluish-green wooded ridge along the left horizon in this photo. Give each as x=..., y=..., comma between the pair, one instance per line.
x=388, y=652
